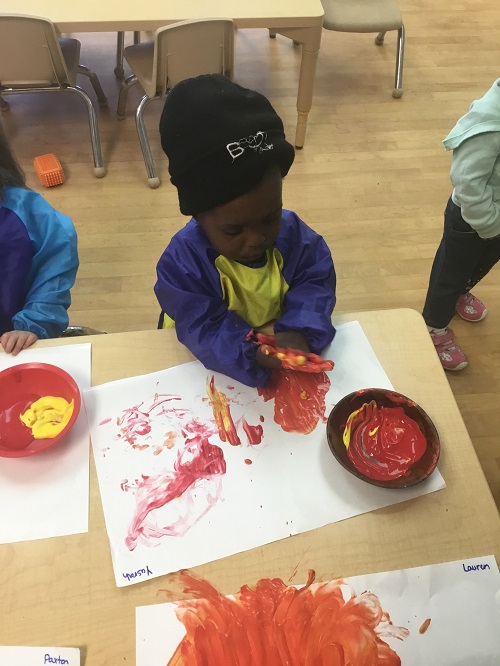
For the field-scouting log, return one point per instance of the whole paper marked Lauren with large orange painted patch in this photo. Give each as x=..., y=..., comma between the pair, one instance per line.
x=446, y=614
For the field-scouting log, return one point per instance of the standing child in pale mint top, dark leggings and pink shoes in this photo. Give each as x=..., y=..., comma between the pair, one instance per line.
x=470, y=246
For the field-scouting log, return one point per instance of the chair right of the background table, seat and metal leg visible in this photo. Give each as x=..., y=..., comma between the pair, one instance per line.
x=379, y=16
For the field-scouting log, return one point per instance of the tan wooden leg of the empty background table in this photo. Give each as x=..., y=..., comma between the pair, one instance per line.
x=310, y=38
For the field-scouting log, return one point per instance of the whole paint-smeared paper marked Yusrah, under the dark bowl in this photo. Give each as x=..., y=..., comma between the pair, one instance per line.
x=193, y=466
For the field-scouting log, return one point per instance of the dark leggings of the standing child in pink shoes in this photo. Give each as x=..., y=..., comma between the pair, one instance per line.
x=463, y=259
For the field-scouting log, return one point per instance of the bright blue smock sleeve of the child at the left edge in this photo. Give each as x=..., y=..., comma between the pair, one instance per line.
x=52, y=272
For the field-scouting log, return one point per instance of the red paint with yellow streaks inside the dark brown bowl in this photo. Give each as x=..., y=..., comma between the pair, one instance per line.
x=383, y=441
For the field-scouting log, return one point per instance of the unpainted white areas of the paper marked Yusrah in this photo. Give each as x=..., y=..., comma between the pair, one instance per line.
x=292, y=485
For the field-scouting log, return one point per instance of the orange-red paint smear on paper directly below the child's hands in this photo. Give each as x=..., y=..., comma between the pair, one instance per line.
x=299, y=399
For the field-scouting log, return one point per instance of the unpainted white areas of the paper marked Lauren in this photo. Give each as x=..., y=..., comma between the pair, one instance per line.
x=463, y=607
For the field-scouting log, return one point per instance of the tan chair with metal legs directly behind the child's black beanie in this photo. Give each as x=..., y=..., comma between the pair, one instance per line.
x=179, y=51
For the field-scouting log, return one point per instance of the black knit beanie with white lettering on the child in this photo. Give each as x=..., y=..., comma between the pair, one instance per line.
x=220, y=139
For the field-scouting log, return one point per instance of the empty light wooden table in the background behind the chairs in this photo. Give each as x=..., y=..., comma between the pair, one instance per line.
x=300, y=20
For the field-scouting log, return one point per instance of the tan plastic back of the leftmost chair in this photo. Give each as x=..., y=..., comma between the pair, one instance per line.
x=30, y=55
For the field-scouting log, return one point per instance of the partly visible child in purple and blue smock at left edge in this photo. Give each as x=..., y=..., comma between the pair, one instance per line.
x=38, y=261
